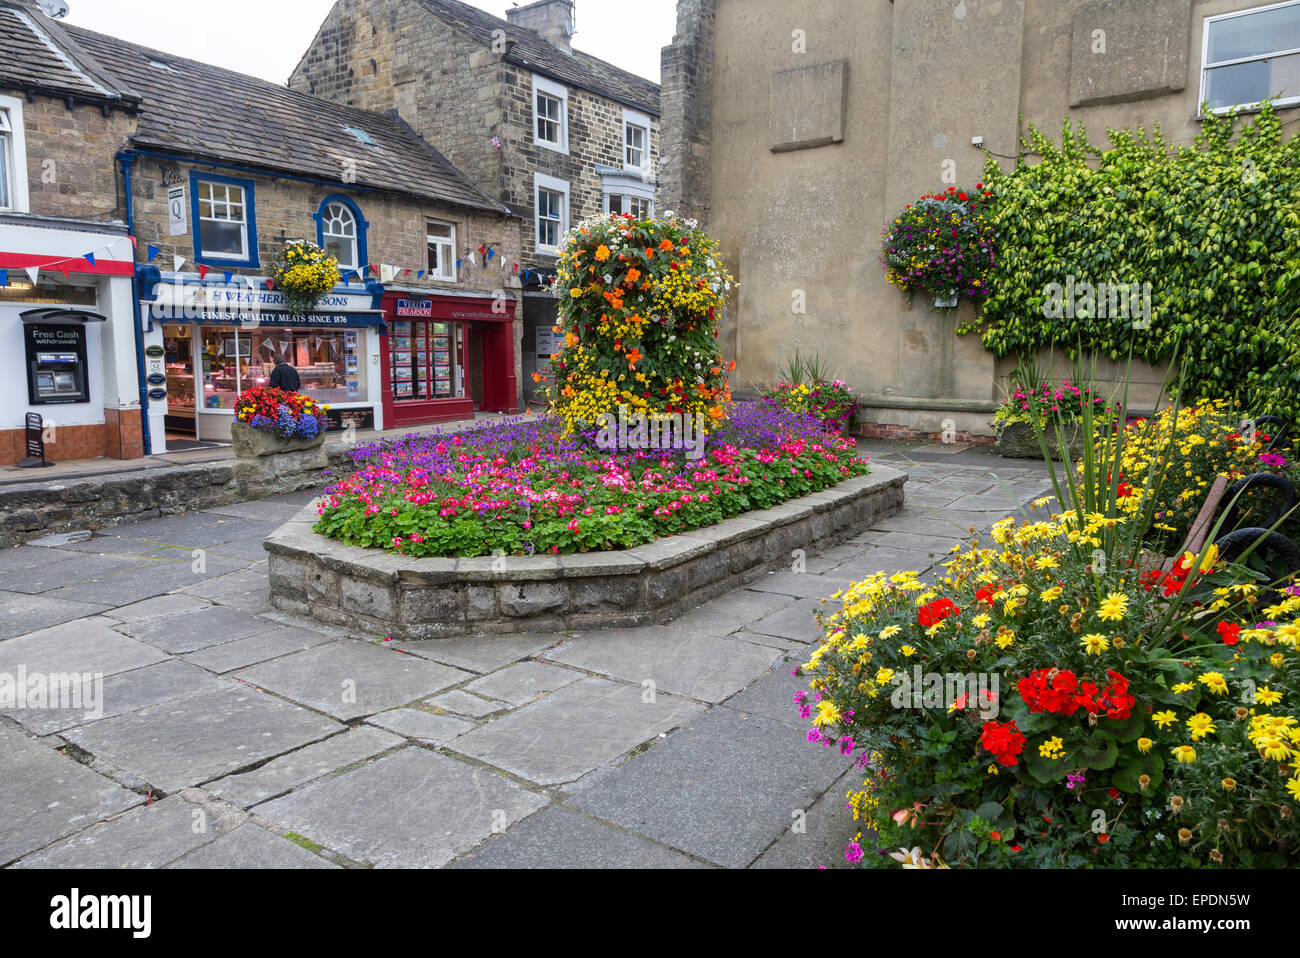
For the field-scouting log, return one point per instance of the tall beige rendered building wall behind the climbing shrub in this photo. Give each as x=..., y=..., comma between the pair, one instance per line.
x=842, y=112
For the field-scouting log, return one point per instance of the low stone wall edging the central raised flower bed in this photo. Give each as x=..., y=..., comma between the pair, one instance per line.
x=389, y=595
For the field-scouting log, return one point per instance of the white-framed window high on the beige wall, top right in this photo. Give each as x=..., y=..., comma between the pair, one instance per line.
x=1253, y=57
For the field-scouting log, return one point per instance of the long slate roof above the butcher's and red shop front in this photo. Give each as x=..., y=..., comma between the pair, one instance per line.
x=203, y=111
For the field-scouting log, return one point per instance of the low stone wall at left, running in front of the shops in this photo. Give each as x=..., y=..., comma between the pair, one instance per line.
x=34, y=510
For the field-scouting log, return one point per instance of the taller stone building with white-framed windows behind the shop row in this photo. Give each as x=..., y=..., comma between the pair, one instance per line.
x=553, y=133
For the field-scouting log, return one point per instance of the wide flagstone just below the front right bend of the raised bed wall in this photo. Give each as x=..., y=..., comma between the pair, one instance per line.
x=687, y=664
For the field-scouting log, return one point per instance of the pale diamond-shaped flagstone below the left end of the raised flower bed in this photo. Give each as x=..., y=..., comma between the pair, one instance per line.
x=350, y=679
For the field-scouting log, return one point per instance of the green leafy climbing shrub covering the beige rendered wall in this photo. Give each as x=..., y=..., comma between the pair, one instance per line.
x=1149, y=245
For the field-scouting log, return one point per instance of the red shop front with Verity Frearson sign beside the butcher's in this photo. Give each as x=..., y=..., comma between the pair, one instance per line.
x=445, y=358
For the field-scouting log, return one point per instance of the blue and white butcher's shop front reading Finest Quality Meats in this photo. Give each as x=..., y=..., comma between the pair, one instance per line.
x=210, y=344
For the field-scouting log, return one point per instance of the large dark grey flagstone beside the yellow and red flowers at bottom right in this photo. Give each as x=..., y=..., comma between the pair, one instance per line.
x=723, y=788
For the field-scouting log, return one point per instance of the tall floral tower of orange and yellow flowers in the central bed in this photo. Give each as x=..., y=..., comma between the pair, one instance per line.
x=639, y=318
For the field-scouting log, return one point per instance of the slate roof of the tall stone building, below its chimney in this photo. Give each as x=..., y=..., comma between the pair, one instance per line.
x=531, y=51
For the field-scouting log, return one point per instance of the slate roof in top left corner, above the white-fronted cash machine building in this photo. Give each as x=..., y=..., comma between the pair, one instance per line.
x=37, y=55
